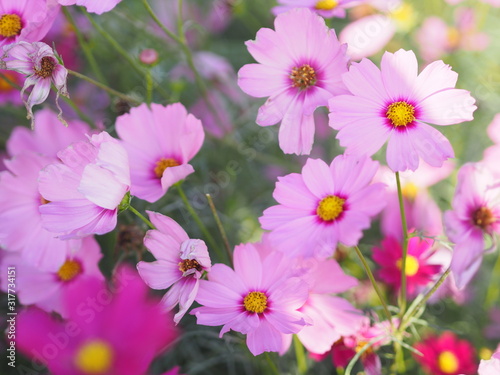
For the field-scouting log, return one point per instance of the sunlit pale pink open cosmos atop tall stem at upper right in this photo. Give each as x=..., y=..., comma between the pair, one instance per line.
x=393, y=104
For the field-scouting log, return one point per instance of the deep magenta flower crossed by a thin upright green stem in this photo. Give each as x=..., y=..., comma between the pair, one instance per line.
x=420, y=271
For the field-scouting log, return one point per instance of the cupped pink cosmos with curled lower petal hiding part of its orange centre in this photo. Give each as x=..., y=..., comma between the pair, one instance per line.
x=160, y=141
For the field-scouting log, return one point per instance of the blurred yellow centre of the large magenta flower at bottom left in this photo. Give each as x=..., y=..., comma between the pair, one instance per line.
x=94, y=358
